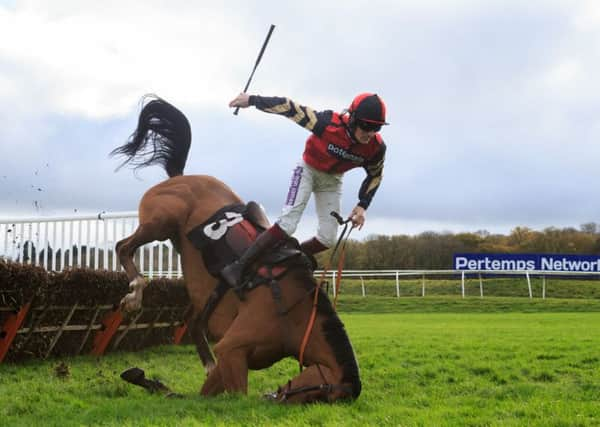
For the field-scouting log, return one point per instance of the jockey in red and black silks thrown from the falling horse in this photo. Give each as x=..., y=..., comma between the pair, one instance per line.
x=339, y=142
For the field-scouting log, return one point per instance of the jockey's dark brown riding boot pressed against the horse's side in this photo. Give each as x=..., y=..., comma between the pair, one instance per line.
x=232, y=273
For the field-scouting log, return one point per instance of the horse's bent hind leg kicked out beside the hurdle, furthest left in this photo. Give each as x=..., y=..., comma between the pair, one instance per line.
x=145, y=233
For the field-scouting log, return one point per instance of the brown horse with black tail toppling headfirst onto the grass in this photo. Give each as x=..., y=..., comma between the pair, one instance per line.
x=250, y=331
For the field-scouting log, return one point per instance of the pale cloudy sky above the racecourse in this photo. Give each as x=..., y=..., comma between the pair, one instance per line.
x=493, y=105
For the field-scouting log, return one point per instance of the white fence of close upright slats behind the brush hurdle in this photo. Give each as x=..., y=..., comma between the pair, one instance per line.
x=56, y=243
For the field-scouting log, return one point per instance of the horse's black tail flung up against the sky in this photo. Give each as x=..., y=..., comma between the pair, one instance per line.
x=163, y=136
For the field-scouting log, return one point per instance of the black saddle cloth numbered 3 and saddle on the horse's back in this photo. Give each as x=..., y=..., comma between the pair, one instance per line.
x=226, y=235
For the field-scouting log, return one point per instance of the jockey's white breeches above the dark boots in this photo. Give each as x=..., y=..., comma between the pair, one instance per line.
x=327, y=189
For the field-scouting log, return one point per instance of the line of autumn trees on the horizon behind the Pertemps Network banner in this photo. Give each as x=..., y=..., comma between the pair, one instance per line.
x=433, y=250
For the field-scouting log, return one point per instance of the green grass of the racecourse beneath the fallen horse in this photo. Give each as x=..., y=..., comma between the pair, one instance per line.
x=431, y=361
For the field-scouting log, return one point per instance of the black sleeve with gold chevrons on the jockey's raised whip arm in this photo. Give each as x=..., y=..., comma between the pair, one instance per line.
x=314, y=121
